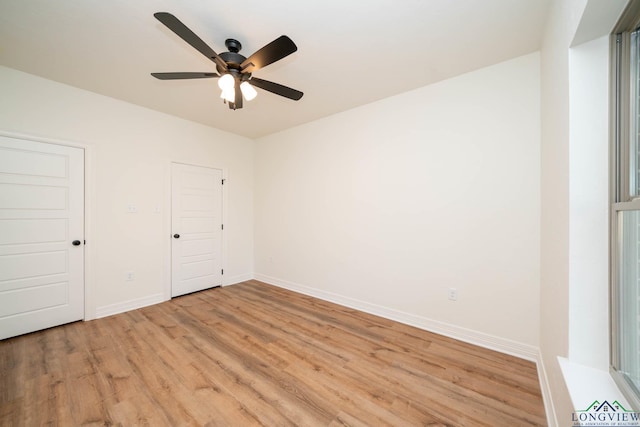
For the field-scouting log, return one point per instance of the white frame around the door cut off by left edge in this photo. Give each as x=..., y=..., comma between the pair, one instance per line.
x=89, y=184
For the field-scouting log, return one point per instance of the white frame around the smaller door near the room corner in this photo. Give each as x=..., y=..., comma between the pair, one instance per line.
x=167, y=221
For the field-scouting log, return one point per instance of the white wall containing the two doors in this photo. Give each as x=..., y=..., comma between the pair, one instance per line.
x=131, y=149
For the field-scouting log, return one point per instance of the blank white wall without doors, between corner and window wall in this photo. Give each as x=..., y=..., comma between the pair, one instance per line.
x=386, y=206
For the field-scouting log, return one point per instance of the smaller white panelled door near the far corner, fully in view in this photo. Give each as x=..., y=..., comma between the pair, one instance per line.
x=196, y=220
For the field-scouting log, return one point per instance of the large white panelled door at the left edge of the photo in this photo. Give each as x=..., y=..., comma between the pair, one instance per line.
x=41, y=215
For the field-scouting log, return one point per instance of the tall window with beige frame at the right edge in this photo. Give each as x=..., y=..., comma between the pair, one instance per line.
x=625, y=213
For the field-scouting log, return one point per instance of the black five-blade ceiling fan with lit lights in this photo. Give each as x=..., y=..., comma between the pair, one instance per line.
x=233, y=69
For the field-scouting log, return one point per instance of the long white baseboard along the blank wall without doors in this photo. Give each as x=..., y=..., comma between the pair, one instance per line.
x=513, y=348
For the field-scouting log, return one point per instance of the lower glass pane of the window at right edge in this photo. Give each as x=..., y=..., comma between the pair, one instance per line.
x=628, y=301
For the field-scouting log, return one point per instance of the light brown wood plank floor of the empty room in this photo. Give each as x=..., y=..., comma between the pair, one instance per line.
x=254, y=354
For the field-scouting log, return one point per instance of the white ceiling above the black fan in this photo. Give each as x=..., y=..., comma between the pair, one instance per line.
x=349, y=52
